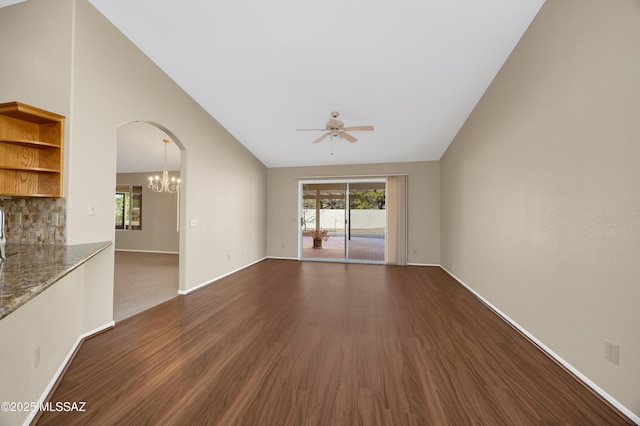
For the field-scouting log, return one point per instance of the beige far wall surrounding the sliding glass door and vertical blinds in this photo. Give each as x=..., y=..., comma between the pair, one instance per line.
x=283, y=217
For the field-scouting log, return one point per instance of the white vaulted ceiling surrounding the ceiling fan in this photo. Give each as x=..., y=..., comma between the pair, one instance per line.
x=414, y=69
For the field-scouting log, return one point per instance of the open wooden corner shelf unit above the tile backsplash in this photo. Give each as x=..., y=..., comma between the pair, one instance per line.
x=31, y=151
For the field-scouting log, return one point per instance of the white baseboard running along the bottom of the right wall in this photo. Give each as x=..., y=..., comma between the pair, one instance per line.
x=551, y=353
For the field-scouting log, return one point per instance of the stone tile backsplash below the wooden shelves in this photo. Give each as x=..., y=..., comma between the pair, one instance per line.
x=35, y=220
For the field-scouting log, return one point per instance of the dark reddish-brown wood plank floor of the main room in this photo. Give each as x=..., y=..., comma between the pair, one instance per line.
x=286, y=342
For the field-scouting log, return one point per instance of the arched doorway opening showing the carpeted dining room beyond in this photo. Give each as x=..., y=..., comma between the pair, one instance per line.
x=147, y=223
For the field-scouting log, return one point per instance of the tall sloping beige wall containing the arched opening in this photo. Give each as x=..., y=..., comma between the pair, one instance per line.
x=223, y=184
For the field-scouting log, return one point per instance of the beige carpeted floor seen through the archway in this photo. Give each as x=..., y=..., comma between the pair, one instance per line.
x=143, y=280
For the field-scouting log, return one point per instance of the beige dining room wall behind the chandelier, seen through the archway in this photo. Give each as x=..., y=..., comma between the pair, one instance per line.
x=159, y=218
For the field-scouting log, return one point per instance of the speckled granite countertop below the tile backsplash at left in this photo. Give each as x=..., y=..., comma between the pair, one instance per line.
x=30, y=269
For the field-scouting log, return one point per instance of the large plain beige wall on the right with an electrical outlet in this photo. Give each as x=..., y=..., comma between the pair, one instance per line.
x=541, y=189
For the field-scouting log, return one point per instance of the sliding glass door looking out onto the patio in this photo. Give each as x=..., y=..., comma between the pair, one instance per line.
x=343, y=221
